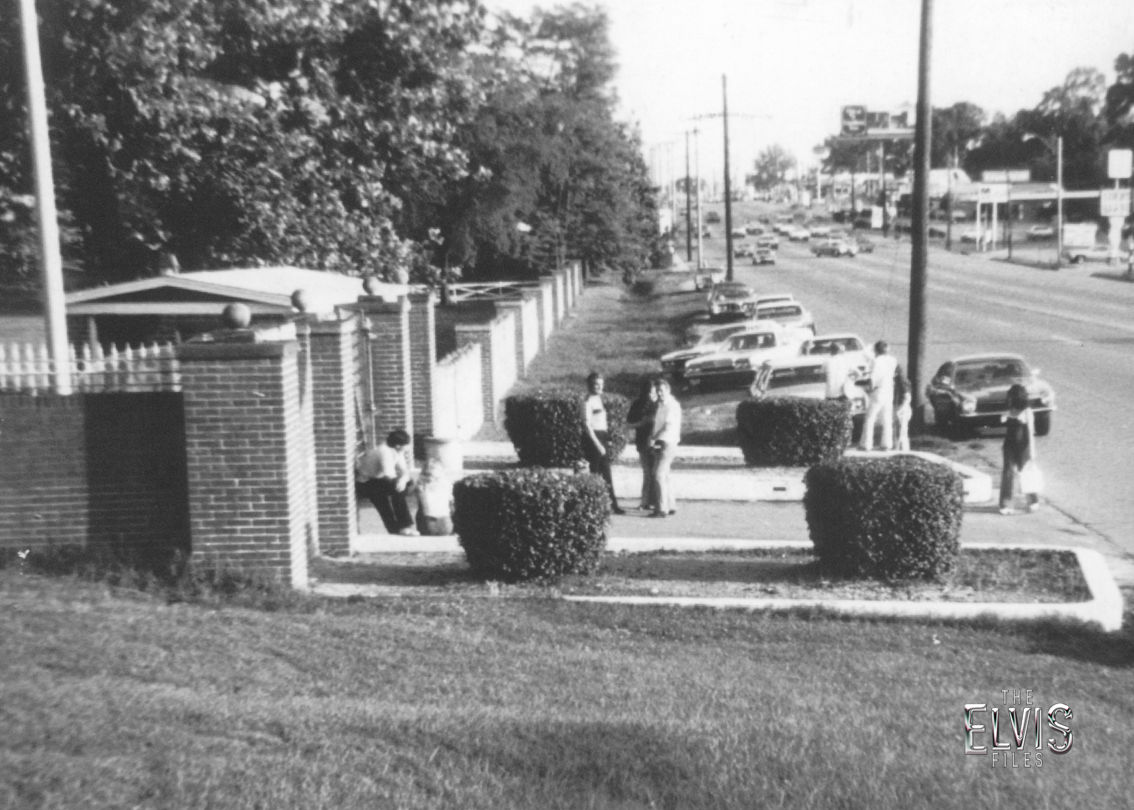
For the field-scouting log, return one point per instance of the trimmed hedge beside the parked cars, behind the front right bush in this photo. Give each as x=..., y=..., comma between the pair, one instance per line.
x=792, y=432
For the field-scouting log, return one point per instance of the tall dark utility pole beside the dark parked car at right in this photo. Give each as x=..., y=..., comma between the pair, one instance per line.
x=919, y=232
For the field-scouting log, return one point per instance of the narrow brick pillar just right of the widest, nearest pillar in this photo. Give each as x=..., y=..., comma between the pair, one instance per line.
x=336, y=432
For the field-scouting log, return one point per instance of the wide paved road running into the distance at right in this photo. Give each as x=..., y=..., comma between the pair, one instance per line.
x=1076, y=325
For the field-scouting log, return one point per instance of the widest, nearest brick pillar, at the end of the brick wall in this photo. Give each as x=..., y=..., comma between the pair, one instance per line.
x=246, y=457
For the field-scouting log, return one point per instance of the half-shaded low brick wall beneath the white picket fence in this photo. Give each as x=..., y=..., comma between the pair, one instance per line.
x=92, y=468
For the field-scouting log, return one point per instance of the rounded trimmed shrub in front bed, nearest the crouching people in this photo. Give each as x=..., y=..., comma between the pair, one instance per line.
x=531, y=525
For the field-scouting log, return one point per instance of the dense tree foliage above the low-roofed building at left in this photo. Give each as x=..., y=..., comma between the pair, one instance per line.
x=357, y=137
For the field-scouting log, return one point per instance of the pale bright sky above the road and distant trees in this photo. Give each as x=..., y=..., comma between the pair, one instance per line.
x=791, y=65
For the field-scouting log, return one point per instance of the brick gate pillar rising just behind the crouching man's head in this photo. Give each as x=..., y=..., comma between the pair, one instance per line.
x=388, y=337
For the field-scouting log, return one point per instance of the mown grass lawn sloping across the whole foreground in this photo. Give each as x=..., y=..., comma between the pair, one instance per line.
x=116, y=699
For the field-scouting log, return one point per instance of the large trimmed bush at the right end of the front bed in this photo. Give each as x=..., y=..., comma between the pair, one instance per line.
x=891, y=519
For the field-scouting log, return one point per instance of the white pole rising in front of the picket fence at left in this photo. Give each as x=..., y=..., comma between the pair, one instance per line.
x=50, y=258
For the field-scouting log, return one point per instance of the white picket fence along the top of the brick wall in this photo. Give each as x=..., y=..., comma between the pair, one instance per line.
x=28, y=368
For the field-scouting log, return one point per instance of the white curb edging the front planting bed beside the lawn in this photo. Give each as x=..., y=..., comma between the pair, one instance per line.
x=1104, y=609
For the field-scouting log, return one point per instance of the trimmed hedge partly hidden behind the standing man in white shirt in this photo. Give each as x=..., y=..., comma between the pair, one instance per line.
x=546, y=426
